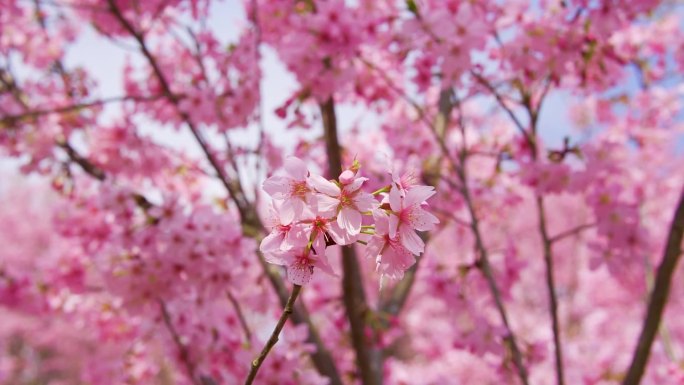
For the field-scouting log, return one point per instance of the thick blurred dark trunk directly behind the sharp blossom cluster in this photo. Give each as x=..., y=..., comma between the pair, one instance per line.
x=367, y=358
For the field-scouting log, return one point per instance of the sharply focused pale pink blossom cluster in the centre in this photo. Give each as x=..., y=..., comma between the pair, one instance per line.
x=310, y=213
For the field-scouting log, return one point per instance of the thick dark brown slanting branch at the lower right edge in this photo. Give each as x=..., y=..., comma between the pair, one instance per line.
x=661, y=290
